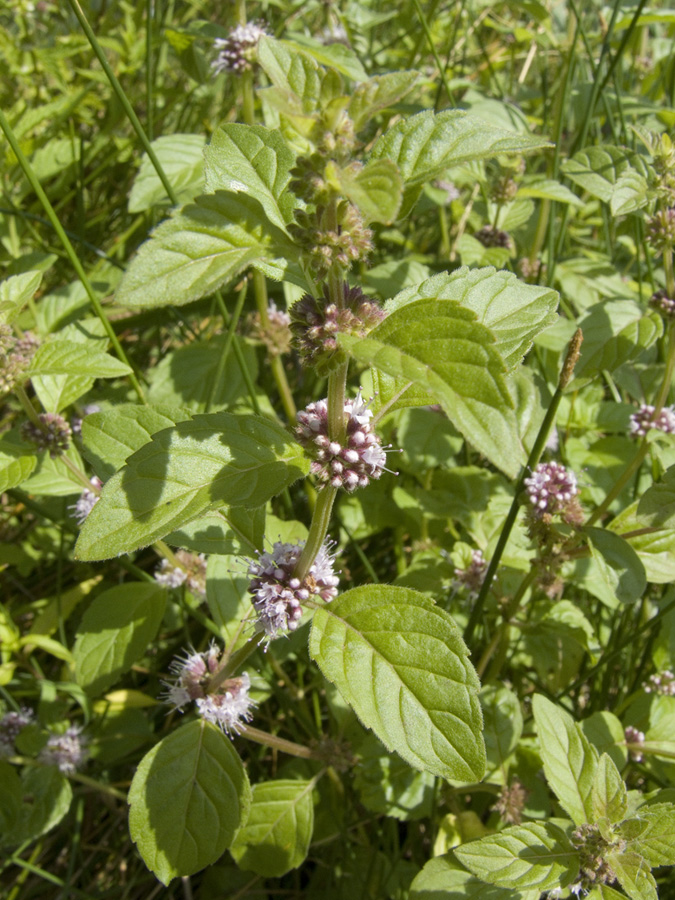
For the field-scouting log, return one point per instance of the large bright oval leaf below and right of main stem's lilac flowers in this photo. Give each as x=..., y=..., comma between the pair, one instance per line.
x=400, y=663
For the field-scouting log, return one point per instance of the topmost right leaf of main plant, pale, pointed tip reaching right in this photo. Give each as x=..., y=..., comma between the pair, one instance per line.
x=425, y=145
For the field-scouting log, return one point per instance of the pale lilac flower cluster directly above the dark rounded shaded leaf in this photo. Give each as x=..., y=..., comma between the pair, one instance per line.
x=228, y=706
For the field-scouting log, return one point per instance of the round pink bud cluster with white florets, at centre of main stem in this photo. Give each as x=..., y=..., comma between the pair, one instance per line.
x=349, y=465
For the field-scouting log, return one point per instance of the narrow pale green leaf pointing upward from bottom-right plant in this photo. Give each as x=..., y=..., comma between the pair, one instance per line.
x=570, y=761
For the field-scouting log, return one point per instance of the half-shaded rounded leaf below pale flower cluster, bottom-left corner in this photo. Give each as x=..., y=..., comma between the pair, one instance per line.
x=46, y=797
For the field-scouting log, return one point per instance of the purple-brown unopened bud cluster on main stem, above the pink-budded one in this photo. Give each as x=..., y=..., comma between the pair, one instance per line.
x=317, y=323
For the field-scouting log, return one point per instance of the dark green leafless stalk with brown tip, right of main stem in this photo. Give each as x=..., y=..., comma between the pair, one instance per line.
x=533, y=459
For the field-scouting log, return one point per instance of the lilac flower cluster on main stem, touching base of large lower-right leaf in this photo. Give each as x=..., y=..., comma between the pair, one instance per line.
x=278, y=594
